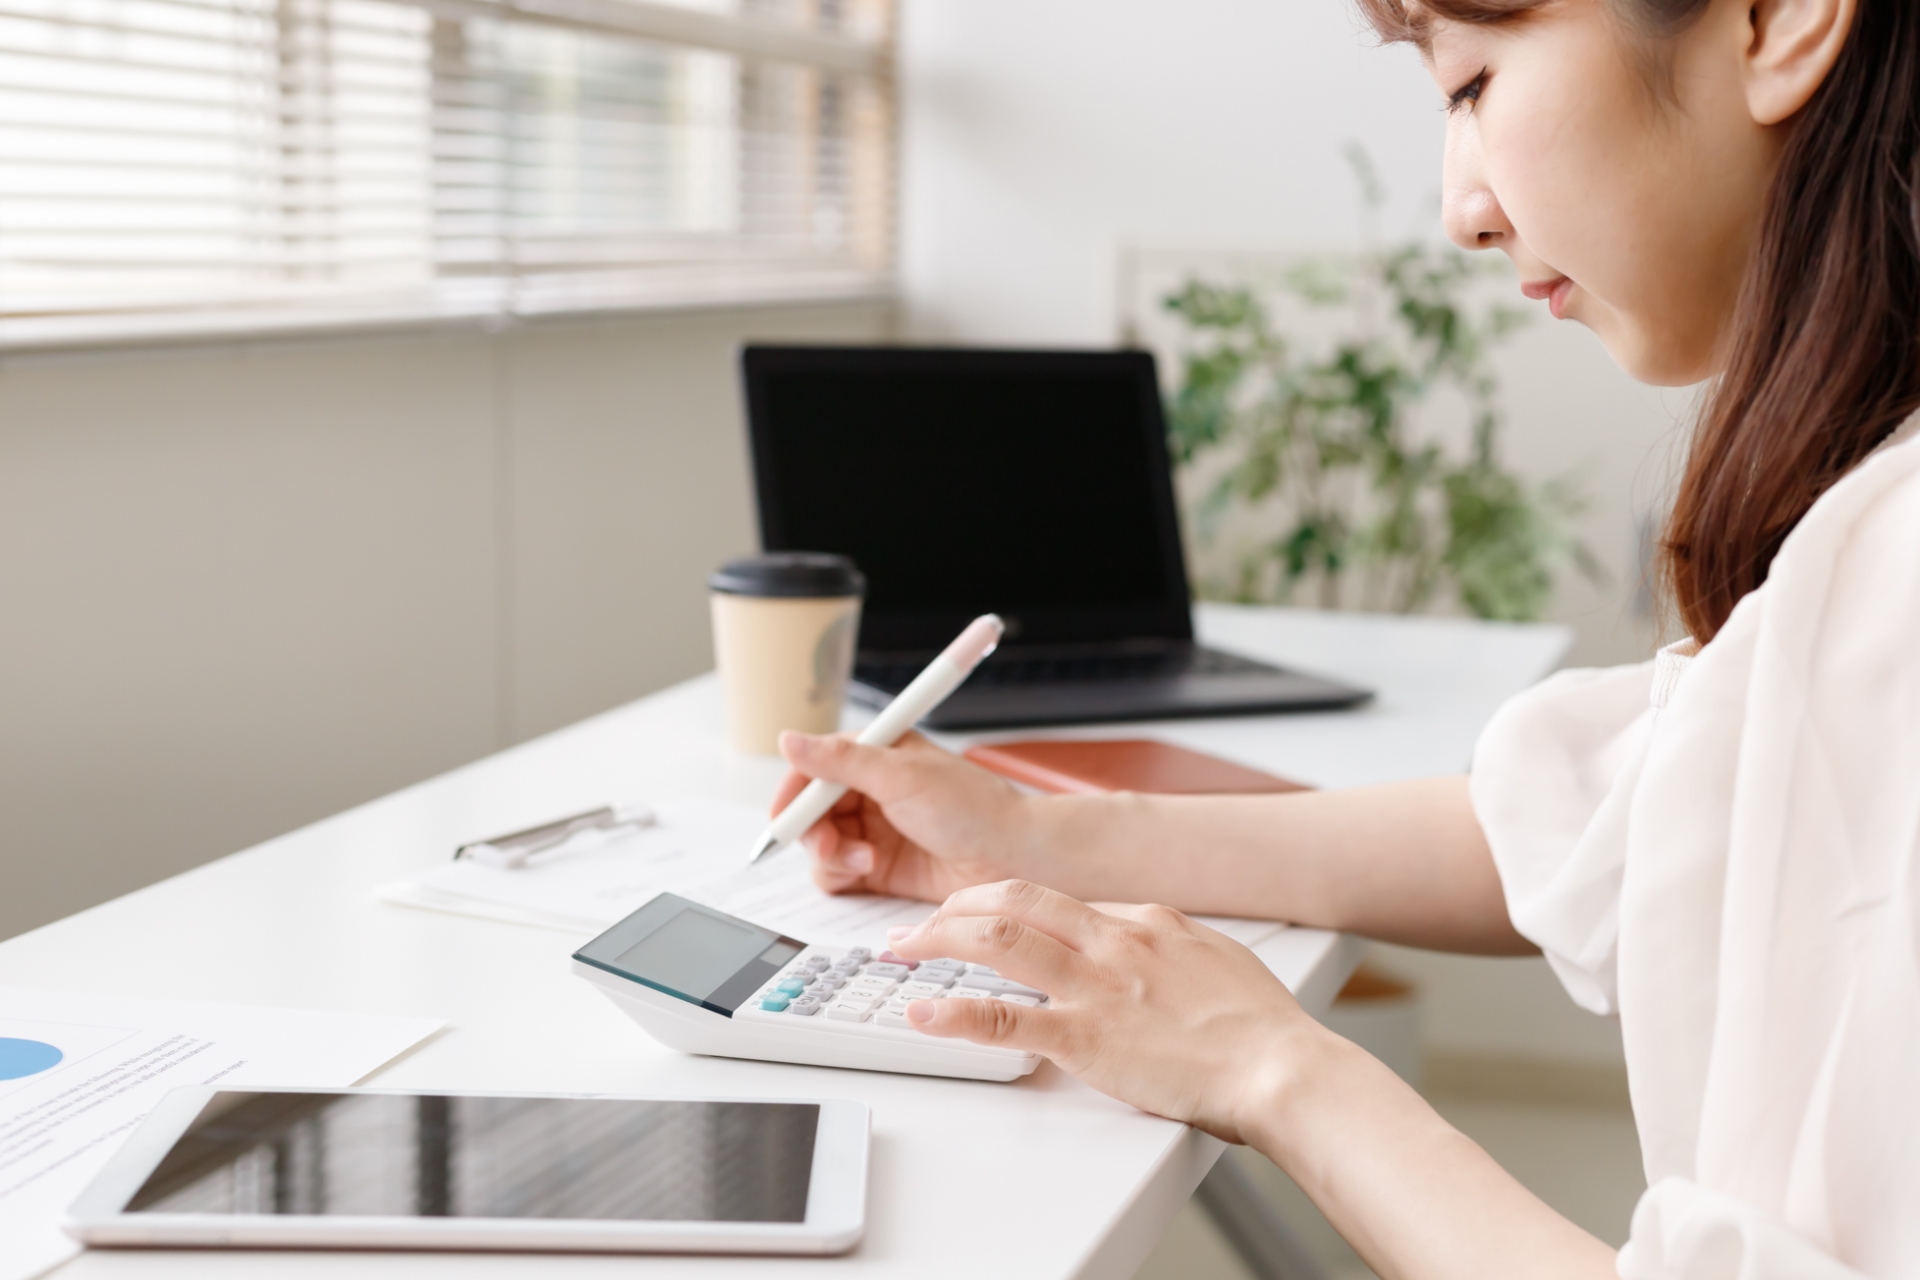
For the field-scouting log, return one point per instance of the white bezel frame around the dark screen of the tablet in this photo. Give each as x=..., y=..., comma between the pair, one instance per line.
x=836, y=1198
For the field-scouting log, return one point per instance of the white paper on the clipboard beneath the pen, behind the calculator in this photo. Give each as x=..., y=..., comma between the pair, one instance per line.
x=692, y=851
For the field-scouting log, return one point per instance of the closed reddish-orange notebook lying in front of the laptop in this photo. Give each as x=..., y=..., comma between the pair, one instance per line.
x=1122, y=765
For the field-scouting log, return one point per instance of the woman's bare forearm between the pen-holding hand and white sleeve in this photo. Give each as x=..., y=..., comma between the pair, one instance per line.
x=1404, y=863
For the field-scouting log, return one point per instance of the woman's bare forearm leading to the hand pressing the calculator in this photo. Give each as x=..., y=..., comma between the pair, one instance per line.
x=1414, y=1197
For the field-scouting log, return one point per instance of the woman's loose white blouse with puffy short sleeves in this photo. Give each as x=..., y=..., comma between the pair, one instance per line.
x=1725, y=853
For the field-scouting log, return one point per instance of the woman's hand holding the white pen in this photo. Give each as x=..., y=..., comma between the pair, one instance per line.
x=917, y=822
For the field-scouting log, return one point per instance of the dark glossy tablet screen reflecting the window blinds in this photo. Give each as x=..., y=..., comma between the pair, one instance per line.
x=489, y=1158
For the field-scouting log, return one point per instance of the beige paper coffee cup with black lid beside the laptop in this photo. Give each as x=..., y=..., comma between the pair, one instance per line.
x=784, y=636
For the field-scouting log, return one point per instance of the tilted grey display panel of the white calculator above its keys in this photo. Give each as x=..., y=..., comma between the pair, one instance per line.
x=692, y=953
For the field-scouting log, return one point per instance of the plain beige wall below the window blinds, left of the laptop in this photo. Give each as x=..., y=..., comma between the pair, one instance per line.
x=249, y=584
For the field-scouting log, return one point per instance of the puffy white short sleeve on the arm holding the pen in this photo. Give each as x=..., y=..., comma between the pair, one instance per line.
x=1552, y=782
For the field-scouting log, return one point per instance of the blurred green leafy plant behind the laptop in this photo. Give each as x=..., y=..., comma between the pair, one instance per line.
x=1324, y=462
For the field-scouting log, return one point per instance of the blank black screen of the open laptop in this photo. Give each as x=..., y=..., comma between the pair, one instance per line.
x=1032, y=485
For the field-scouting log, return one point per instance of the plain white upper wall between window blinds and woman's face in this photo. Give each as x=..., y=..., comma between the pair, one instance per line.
x=1040, y=139
